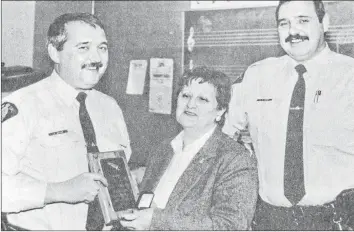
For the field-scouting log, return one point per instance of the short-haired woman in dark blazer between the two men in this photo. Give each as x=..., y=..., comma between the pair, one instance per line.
x=202, y=179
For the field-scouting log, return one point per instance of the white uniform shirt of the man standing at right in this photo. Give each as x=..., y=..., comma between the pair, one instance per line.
x=261, y=102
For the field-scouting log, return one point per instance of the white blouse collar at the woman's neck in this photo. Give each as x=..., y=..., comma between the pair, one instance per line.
x=177, y=142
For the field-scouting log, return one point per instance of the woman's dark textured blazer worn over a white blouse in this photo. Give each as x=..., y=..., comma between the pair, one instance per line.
x=217, y=191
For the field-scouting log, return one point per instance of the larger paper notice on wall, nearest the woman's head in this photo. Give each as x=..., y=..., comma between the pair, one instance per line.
x=161, y=81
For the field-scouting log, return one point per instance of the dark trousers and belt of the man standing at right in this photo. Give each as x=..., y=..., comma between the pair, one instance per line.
x=336, y=215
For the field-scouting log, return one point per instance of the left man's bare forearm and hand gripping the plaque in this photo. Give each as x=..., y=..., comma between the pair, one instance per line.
x=82, y=188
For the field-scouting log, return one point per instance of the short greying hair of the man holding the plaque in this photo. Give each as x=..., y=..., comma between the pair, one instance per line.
x=57, y=34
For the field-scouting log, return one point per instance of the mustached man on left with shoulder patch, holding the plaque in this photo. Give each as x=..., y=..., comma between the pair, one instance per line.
x=51, y=125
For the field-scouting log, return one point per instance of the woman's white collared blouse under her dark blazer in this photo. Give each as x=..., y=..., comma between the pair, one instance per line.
x=179, y=163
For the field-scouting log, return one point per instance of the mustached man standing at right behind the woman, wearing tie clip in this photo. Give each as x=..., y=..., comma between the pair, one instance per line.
x=299, y=111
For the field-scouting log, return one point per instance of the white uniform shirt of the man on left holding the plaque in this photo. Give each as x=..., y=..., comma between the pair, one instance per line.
x=31, y=157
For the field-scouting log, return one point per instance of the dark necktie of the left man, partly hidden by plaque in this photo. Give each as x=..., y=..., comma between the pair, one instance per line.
x=95, y=220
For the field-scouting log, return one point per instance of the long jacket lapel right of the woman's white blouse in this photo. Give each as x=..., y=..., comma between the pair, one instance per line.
x=196, y=169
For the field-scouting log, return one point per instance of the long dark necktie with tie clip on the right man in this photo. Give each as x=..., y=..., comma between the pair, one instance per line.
x=294, y=187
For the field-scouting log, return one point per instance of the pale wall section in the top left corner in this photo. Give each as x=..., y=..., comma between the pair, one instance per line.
x=17, y=29
